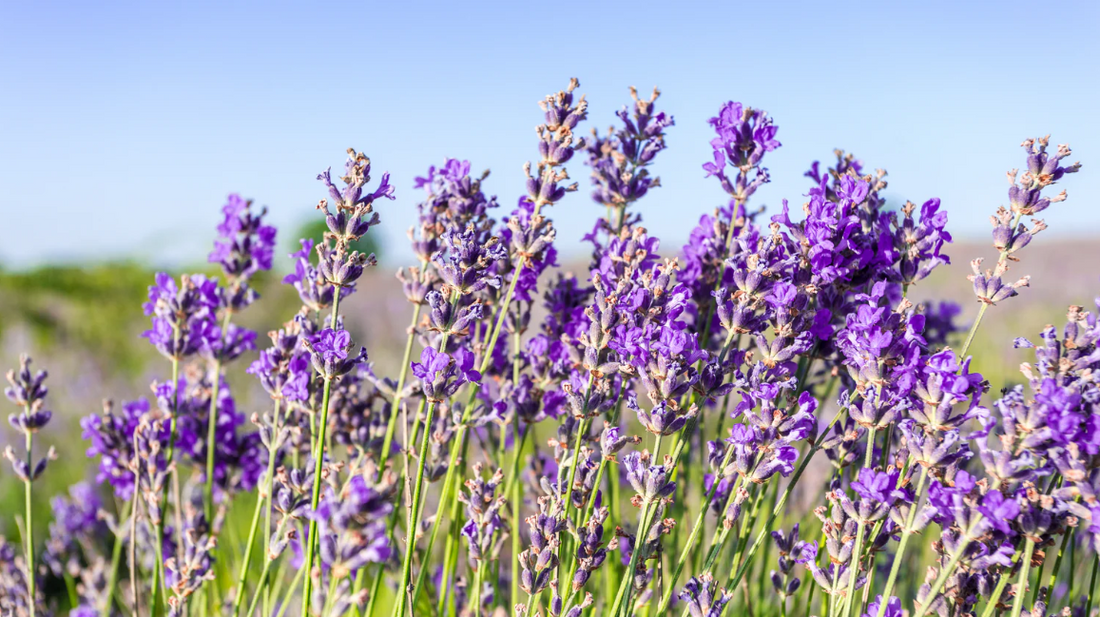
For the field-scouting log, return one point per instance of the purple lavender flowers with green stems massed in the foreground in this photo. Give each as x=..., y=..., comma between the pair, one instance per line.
x=619, y=444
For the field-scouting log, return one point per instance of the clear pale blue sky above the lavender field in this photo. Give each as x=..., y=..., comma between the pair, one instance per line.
x=124, y=126
